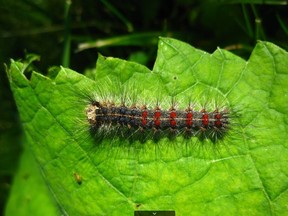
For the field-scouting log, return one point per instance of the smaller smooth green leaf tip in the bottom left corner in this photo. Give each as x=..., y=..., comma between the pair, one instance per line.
x=30, y=194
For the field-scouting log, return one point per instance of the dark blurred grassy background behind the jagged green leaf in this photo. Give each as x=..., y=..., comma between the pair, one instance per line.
x=71, y=33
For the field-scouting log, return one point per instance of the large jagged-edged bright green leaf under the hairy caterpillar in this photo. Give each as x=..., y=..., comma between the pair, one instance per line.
x=243, y=174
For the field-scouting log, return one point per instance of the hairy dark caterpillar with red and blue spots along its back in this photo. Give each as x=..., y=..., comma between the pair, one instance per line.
x=105, y=116
